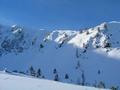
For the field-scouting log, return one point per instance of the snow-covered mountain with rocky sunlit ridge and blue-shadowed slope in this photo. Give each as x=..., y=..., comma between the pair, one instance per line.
x=88, y=57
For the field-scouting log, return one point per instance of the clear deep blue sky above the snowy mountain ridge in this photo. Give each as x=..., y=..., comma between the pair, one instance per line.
x=58, y=14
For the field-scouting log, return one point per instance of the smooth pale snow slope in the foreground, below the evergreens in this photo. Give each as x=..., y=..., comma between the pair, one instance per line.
x=17, y=82
